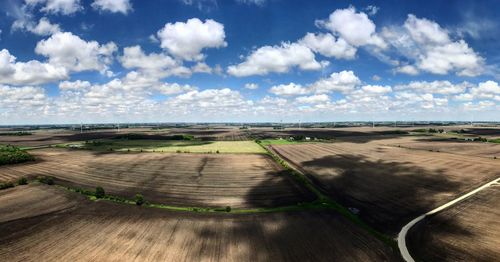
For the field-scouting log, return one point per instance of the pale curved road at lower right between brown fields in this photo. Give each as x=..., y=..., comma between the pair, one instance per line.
x=402, y=234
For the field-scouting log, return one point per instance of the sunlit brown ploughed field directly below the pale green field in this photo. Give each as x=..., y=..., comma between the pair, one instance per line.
x=215, y=180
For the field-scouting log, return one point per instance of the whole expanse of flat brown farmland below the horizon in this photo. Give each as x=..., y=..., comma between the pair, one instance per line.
x=212, y=197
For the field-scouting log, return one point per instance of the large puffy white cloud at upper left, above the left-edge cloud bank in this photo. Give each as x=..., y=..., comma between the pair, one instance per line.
x=75, y=54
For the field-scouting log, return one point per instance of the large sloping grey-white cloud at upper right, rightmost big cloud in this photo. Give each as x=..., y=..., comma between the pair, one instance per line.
x=431, y=49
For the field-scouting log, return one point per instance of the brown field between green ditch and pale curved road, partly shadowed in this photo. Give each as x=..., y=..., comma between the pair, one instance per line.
x=389, y=185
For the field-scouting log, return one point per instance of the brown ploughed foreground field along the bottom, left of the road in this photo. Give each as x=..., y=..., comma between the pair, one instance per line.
x=104, y=231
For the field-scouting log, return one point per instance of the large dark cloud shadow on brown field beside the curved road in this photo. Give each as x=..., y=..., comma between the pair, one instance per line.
x=387, y=194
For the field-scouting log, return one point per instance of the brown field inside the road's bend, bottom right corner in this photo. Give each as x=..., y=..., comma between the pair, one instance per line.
x=468, y=231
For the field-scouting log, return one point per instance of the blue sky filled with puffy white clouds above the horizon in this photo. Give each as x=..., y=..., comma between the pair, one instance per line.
x=117, y=61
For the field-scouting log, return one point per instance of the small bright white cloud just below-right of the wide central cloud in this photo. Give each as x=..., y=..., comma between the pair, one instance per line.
x=343, y=81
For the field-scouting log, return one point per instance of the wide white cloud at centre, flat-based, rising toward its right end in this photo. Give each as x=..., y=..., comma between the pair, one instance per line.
x=279, y=59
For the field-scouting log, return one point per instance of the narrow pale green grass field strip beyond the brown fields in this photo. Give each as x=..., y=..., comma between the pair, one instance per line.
x=170, y=146
